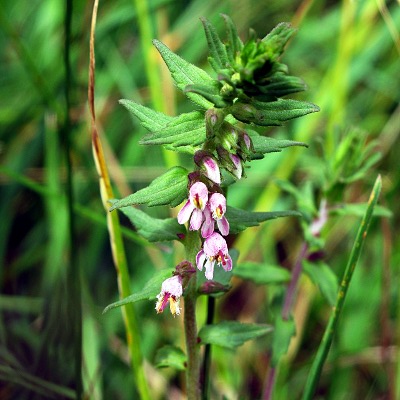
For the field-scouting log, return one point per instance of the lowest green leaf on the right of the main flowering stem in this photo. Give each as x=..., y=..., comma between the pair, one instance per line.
x=231, y=334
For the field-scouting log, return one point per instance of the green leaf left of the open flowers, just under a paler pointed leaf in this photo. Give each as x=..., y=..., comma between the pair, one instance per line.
x=153, y=229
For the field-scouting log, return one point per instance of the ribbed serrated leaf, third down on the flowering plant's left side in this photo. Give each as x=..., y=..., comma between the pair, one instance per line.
x=185, y=130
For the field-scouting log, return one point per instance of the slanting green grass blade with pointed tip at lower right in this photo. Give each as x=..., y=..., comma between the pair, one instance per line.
x=330, y=330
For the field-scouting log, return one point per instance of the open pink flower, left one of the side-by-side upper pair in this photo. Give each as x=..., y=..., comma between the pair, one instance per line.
x=194, y=207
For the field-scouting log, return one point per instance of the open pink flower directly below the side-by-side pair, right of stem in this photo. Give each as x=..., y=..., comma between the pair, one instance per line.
x=214, y=250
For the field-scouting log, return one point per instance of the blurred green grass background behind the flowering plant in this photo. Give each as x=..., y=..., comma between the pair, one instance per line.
x=348, y=54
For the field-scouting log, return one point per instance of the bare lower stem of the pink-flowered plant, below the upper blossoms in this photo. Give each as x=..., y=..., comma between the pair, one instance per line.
x=192, y=245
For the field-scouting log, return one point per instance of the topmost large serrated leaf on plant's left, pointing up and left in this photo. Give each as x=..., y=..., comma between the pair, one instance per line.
x=184, y=73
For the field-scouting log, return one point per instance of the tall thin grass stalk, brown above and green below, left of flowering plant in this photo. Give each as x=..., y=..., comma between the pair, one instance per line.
x=117, y=245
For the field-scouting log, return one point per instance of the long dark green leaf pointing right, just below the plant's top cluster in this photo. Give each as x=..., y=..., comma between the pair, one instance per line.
x=271, y=113
